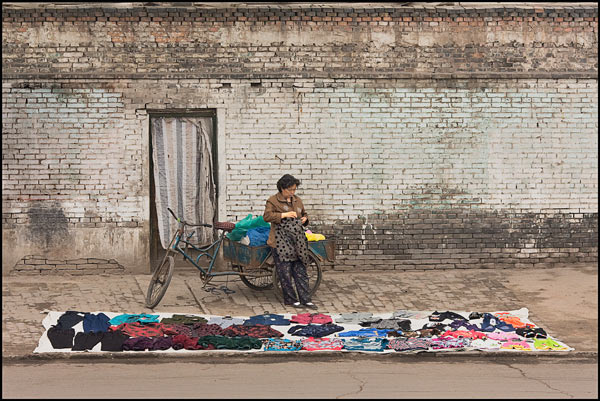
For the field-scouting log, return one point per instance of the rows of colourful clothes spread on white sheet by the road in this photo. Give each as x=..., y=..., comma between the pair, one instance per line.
x=300, y=332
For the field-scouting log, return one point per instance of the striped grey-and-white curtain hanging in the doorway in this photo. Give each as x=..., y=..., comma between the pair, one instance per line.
x=183, y=175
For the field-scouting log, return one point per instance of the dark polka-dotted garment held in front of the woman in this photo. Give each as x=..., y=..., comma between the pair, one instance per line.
x=291, y=242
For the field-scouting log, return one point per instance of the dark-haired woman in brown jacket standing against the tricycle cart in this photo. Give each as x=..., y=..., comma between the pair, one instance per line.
x=285, y=211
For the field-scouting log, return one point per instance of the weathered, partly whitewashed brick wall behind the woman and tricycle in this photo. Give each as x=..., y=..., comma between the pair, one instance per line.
x=416, y=148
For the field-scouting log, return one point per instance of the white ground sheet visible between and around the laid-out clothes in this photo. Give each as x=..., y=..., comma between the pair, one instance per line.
x=523, y=314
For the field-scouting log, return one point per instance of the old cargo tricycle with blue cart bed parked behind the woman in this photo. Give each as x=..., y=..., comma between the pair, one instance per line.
x=254, y=265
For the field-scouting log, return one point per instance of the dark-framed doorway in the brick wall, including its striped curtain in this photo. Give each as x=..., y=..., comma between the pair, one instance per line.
x=183, y=176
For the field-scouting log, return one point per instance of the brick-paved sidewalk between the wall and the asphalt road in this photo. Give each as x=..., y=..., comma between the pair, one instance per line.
x=564, y=301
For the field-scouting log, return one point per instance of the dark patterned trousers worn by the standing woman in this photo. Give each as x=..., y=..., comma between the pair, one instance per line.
x=296, y=271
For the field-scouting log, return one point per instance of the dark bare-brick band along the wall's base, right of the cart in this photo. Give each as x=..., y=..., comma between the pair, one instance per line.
x=443, y=239
